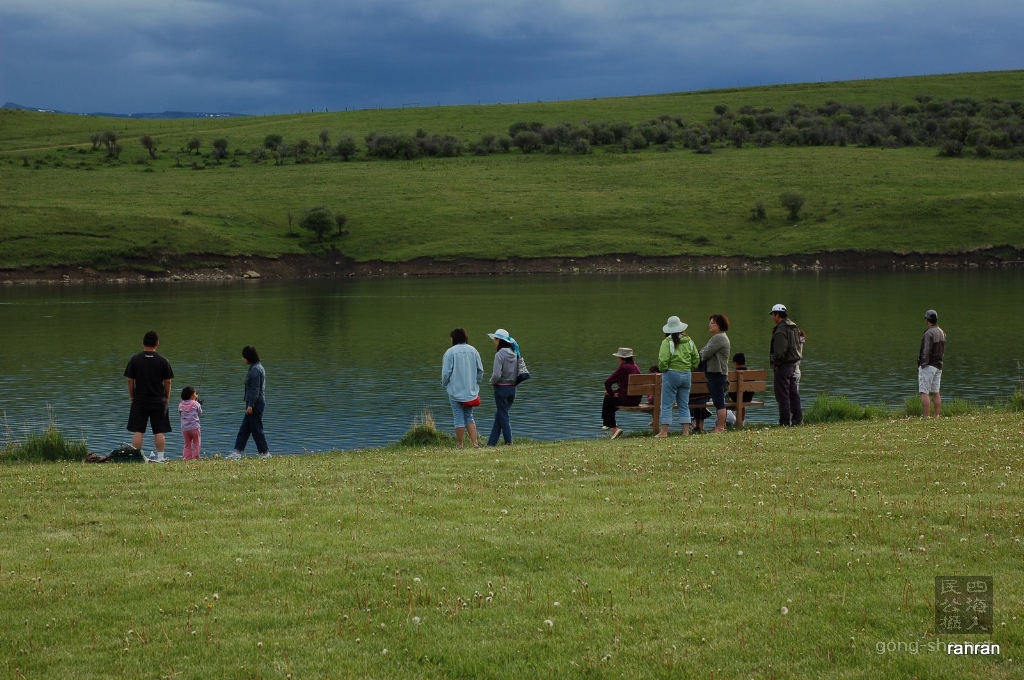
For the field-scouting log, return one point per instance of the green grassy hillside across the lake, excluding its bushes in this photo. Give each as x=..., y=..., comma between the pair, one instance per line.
x=64, y=203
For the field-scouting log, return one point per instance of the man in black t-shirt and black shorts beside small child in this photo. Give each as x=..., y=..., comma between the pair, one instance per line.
x=149, y=377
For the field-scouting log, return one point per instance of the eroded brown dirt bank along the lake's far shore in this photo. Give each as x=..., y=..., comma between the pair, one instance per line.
x=336, y=266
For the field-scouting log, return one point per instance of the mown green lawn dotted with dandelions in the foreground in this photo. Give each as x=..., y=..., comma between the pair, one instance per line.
x=766, y=554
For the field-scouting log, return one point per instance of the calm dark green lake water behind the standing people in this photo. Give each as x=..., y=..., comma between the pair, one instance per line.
x=351, y=364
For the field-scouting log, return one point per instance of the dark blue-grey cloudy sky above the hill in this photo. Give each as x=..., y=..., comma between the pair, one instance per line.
x=284, y=56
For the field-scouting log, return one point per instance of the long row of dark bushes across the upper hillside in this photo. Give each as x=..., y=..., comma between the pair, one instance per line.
x=995, y=129
